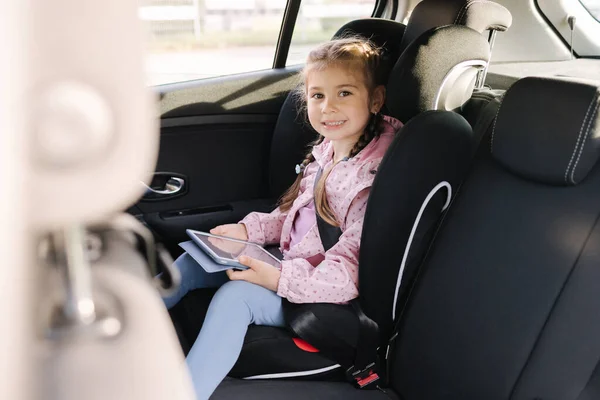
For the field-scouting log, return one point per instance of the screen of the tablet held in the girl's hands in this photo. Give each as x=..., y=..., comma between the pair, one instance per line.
x=232, y=249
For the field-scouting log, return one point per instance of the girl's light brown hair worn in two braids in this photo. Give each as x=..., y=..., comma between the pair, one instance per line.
x=349, y=52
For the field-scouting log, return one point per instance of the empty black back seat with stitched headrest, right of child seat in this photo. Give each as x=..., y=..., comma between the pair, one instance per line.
x=506, y=304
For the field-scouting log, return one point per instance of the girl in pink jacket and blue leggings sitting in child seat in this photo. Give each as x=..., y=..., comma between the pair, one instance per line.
x=343, y=96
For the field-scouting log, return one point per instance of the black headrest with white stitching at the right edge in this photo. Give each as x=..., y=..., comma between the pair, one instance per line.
x=548, y=130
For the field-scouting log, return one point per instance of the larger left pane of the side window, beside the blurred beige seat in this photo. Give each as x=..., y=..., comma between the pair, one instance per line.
x=195, y=39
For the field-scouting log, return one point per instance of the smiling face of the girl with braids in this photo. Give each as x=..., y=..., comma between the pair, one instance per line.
x=338, y=103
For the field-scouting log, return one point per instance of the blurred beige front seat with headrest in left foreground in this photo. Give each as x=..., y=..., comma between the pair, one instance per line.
x=81, y=318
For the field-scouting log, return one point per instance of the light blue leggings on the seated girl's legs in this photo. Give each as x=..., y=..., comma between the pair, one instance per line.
x=236, y=305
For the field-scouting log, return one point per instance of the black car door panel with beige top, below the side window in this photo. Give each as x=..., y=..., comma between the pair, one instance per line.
x=216, y=134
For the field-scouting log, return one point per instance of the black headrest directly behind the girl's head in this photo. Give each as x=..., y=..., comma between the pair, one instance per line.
x=383, y=33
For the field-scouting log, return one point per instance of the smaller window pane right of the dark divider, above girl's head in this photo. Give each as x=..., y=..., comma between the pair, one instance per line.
x=318, y=20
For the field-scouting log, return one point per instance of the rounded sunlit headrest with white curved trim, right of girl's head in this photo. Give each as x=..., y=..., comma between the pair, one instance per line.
x=436, y=72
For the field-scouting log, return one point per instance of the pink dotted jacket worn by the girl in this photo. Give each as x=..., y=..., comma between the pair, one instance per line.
x=308, y=273
